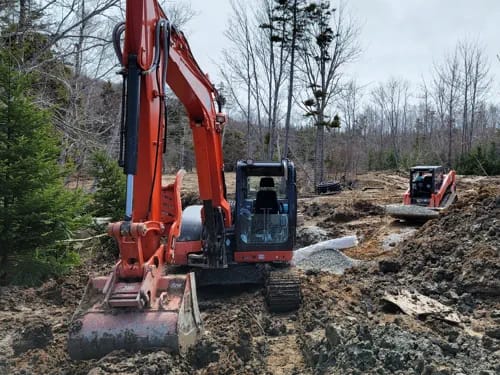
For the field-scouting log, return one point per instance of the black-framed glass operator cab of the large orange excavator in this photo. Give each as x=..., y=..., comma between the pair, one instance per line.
x=266, y=206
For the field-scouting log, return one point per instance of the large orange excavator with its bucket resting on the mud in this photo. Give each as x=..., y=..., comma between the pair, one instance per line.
x=139, y=305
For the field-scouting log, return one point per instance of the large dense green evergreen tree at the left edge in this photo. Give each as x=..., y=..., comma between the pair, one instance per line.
x=36, y=211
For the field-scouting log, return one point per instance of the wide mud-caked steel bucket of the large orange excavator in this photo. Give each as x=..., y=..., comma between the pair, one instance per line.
x=172, y=323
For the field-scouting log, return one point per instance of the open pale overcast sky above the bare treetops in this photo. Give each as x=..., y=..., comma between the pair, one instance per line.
x=399, y=38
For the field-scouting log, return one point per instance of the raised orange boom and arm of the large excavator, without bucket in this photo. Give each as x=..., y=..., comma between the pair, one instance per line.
x=156, y=54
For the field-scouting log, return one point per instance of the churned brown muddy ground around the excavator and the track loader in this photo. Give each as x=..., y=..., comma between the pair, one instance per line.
x=345, y=325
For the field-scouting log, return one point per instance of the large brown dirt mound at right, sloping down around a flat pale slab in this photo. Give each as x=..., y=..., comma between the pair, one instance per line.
x=453, y=259
